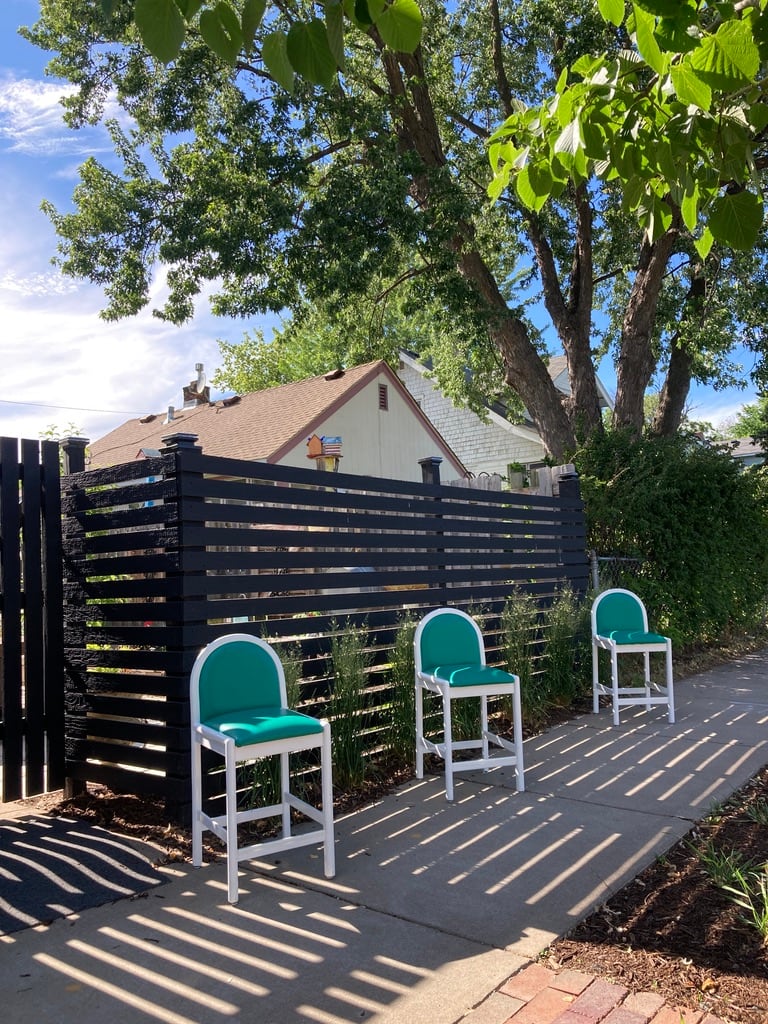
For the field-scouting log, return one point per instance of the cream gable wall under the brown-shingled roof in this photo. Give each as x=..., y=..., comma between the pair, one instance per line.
x=380, y=443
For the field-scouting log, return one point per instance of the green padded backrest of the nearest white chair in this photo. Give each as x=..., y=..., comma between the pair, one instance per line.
x=237, y=676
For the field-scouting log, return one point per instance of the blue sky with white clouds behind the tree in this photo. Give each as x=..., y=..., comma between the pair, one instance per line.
x=62, y=365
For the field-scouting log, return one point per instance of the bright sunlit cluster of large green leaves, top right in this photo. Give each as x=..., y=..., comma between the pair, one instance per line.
x=677, y=115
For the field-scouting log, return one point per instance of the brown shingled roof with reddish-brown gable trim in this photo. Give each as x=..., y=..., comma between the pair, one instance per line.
x=262, y=425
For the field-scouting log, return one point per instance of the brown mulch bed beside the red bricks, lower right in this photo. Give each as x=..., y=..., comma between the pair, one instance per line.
x=674, y=932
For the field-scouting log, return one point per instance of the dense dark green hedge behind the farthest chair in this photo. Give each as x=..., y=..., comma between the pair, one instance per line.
x=698, y=526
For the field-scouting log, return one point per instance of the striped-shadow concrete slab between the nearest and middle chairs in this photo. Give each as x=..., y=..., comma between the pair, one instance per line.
x=509, y=870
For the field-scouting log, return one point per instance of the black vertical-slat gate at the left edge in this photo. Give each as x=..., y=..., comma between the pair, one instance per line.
x=31, y=614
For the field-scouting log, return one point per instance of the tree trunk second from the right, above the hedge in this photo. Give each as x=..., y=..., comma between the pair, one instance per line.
x=636, y=359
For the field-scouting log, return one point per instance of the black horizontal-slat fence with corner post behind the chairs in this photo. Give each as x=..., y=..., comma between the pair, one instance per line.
x=166, y=554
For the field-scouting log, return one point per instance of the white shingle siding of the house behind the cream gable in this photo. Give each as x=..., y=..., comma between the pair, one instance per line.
x=484, y=448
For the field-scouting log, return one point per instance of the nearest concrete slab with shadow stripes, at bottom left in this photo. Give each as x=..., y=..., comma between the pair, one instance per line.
x=282, y=955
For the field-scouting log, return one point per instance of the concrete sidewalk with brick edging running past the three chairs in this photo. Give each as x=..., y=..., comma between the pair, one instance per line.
x=436, y=907
